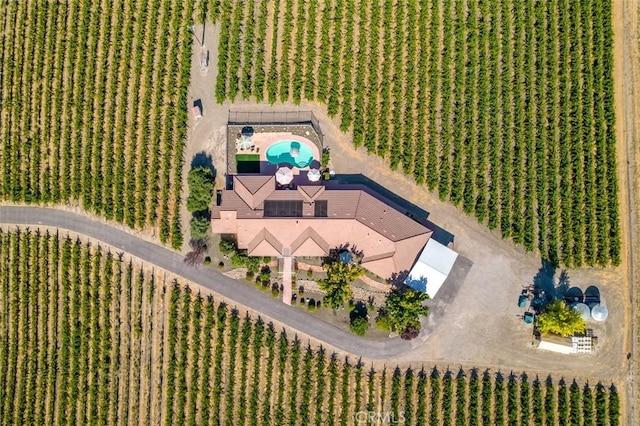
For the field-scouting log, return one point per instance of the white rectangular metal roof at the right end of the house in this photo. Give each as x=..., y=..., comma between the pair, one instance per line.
x=431, y=268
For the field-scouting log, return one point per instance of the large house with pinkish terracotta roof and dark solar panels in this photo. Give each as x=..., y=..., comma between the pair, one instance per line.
x=309, y=220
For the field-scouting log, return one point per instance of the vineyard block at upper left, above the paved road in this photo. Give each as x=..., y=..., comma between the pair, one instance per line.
x=93, y=107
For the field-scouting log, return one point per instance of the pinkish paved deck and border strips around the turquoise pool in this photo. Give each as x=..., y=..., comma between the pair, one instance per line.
x=267, y=135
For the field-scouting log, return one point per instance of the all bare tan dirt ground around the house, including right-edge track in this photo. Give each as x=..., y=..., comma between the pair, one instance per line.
x=481, y=327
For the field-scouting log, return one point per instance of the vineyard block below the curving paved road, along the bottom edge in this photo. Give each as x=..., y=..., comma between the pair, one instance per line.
x=89, y=338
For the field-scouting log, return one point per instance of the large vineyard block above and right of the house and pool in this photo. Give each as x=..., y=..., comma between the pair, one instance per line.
x=503, y=107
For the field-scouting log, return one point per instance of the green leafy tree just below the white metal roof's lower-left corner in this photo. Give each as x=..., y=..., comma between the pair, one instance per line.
x=402, y=311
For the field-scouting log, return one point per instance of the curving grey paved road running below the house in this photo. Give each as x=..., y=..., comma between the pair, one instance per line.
x=206, y=277
